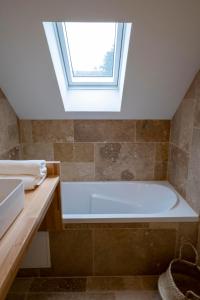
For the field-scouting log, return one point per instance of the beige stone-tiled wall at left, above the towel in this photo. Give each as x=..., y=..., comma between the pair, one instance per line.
x=9, y=133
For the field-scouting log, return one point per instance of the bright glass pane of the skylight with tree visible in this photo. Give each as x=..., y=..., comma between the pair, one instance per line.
x=91, y=48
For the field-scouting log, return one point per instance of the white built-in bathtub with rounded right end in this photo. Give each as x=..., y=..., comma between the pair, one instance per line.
x=121, y=201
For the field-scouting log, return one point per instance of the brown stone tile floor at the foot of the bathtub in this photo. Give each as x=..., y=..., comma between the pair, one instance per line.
x=90, y=288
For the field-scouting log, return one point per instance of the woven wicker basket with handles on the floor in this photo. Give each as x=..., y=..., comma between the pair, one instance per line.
x=181, y=281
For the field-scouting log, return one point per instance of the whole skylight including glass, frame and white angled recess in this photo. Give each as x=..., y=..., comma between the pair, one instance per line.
x=89, y=61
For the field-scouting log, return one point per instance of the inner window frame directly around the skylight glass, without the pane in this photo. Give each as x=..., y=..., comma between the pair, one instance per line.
x=91, y=82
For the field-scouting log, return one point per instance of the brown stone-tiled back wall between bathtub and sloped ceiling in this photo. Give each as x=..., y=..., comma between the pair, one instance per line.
x=100, y=149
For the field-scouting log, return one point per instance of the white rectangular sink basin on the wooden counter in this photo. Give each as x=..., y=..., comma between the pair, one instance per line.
x=11, y=202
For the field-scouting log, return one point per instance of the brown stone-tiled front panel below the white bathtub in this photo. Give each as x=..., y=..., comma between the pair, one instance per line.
x=115, y=249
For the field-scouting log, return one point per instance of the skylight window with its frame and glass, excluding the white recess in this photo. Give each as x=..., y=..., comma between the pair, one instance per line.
x=91, y=53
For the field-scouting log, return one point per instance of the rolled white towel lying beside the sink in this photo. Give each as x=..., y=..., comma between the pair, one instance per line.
x=36, y=168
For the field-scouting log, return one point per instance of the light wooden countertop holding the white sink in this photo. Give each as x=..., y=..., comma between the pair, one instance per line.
x=16, y=240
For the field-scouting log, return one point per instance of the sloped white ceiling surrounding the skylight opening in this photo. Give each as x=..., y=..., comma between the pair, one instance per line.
x=164, y=54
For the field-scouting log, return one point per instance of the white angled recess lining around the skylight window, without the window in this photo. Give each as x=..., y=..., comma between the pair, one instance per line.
x=91, y=99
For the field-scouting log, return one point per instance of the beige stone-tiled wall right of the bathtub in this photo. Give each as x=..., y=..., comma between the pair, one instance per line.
x=184, y=159
